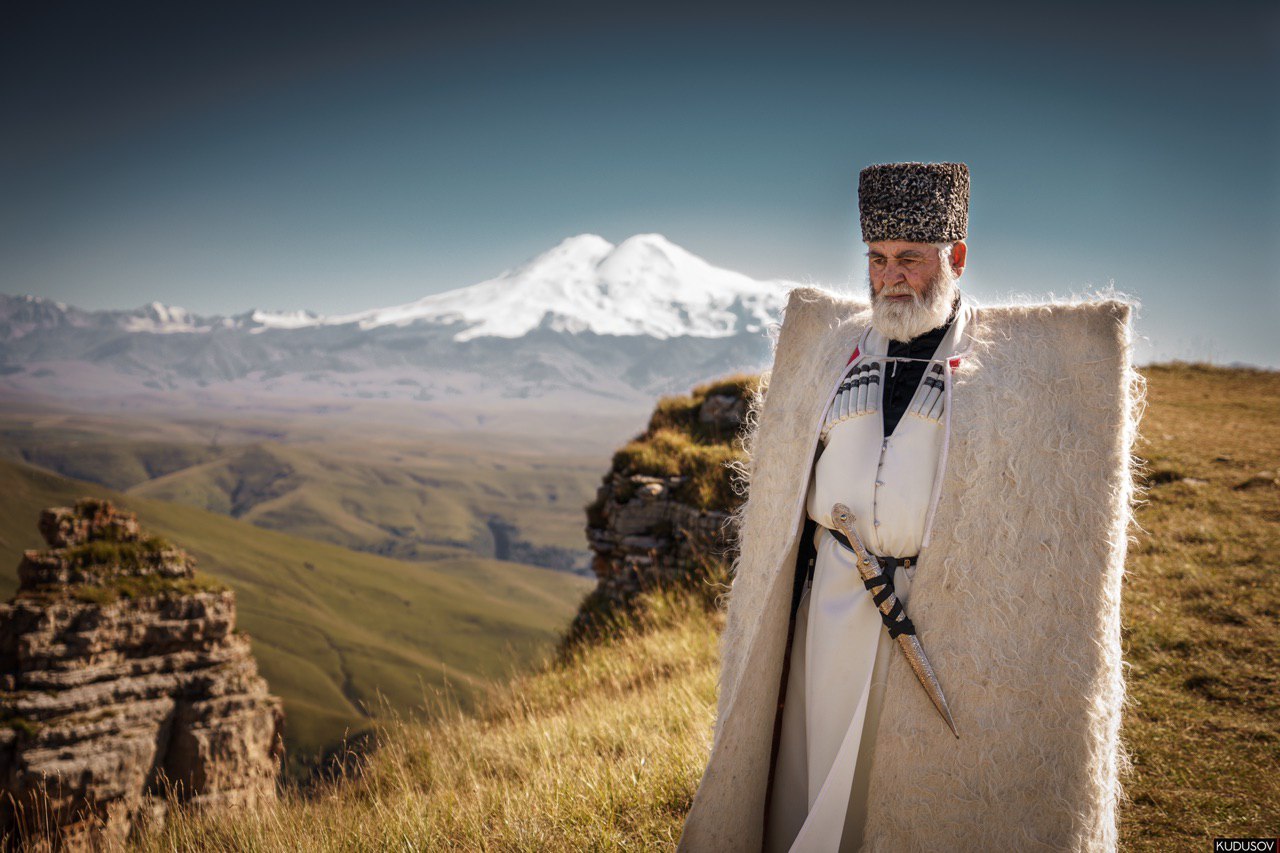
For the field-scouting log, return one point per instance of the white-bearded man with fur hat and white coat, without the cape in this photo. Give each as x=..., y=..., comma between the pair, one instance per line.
x=881, y=441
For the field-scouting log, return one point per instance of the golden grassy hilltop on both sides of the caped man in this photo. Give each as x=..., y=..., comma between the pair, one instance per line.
x=605, y=751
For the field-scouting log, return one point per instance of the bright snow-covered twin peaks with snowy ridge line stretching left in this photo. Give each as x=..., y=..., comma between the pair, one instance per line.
x=644, y=286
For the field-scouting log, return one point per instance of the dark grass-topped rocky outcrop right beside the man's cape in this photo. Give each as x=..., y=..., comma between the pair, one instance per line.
x=662, y=516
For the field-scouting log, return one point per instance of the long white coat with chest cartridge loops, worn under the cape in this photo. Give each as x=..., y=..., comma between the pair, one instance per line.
x=840, y=651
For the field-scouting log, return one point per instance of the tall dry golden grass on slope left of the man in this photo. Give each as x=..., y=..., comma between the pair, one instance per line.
x=601, y=752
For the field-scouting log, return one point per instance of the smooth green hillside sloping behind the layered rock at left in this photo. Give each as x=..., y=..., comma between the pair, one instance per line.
x=335, y=630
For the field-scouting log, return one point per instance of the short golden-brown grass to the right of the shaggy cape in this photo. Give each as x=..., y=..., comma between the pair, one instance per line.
x=1201, y=606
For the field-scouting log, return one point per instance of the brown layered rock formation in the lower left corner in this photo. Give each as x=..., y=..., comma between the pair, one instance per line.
x=124, y=679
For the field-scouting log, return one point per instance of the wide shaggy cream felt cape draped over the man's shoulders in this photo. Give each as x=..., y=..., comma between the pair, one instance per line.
x=1017, y=596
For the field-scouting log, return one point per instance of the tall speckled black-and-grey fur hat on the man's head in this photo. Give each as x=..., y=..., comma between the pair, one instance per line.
x=922, y=203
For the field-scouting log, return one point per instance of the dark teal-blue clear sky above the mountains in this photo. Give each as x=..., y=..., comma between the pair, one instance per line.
x=336, y=158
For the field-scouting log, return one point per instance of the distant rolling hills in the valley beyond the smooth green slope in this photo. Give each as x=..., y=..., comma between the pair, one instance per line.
x=380, y=487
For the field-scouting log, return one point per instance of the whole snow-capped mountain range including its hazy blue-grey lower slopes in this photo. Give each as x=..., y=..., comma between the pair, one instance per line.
x=623, y=322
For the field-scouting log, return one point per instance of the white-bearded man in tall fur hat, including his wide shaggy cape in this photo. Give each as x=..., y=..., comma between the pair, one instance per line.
x=981, y=457
